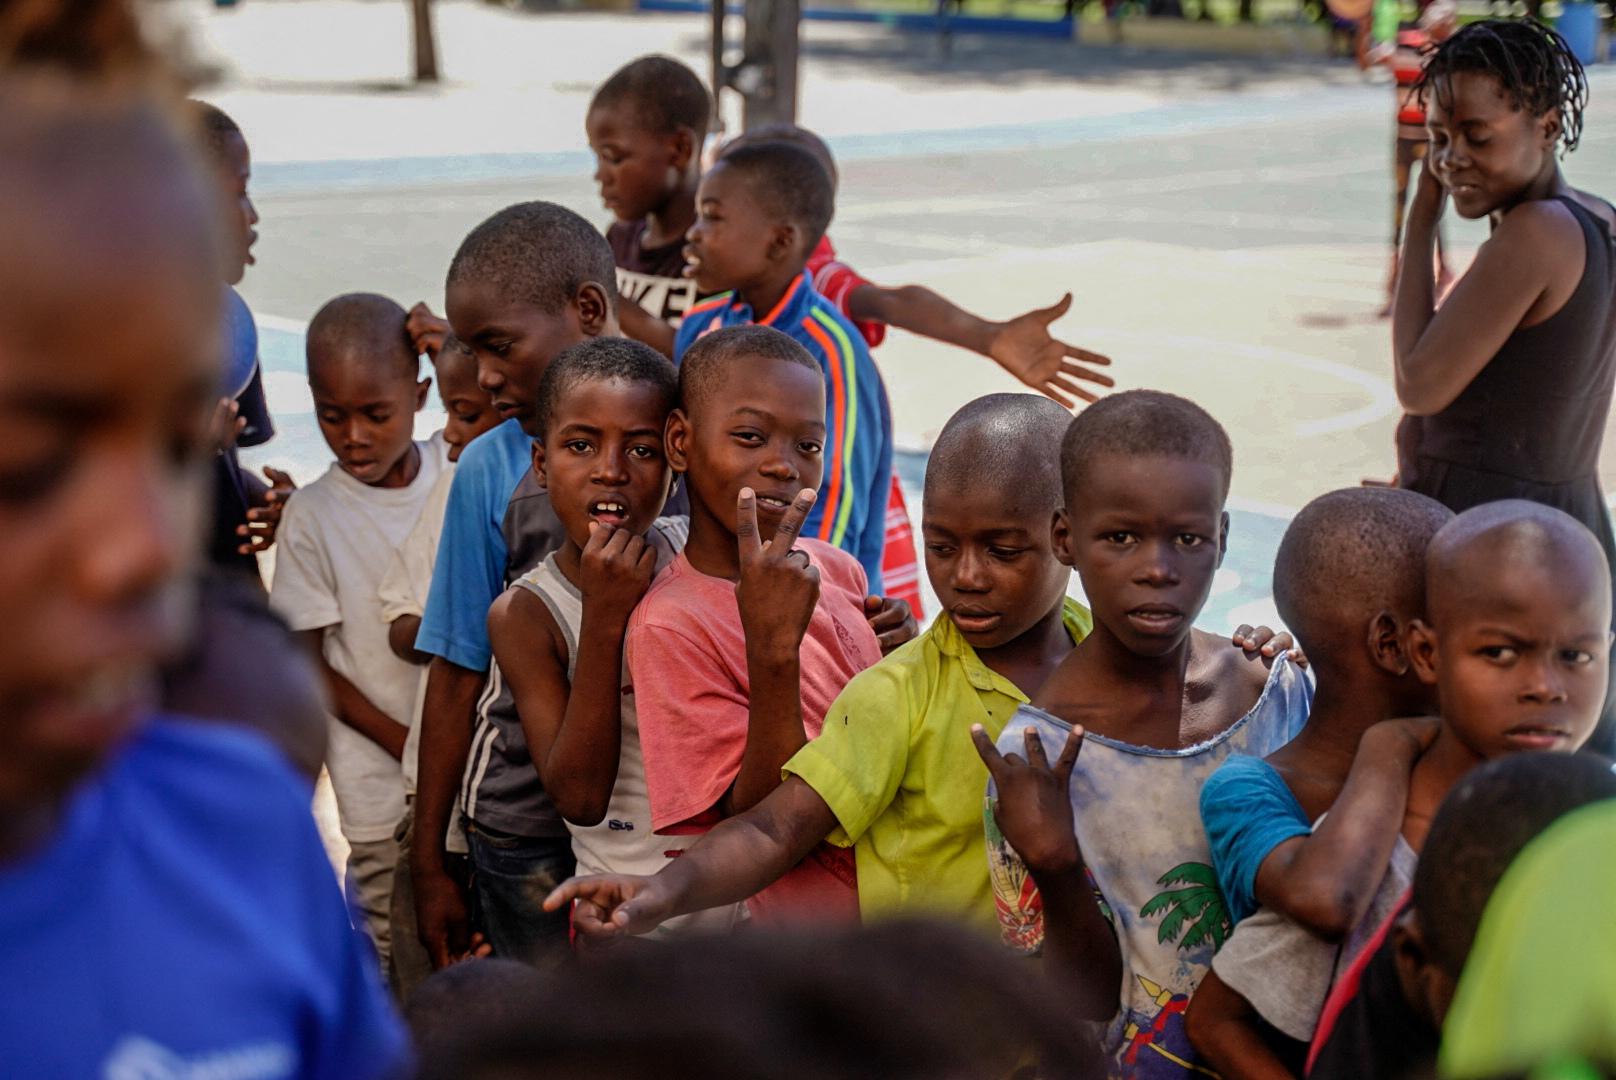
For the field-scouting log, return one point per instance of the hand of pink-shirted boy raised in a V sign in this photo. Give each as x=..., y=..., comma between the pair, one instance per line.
x=778, y=586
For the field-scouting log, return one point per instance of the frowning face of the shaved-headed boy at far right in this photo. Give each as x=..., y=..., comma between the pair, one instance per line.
x=1518, y=652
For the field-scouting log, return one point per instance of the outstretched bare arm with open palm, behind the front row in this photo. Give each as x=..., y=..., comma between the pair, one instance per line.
x=1024, y=345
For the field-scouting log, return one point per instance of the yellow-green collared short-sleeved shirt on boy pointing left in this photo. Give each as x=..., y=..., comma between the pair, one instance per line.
x=898, y=767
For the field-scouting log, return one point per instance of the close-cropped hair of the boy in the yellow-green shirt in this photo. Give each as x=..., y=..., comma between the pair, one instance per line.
x=1008, y=442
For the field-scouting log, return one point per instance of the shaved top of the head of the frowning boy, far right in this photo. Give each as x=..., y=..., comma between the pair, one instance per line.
x=1513, y=539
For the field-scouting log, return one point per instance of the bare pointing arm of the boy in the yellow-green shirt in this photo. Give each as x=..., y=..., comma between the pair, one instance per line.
x=741, y=858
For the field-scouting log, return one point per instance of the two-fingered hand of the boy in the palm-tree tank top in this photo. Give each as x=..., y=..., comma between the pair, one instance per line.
x=1035, y=801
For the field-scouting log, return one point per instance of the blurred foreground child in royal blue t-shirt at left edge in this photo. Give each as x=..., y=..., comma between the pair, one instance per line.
x=166, y=903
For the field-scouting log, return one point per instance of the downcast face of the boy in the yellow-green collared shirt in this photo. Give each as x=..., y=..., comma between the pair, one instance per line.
x=991, y=562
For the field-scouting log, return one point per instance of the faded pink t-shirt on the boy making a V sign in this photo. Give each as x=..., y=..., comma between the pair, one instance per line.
x=688, y=667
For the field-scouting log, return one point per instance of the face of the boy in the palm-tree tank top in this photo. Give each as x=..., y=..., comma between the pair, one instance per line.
x=1147, y=536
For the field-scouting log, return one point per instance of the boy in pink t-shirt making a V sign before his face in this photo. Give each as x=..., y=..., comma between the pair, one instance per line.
x=741, y=646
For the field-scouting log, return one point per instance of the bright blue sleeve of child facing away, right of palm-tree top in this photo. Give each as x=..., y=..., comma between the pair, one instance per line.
x=1248, y=812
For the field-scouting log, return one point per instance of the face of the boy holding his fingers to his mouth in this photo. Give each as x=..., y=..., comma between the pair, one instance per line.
x=604, y=457
